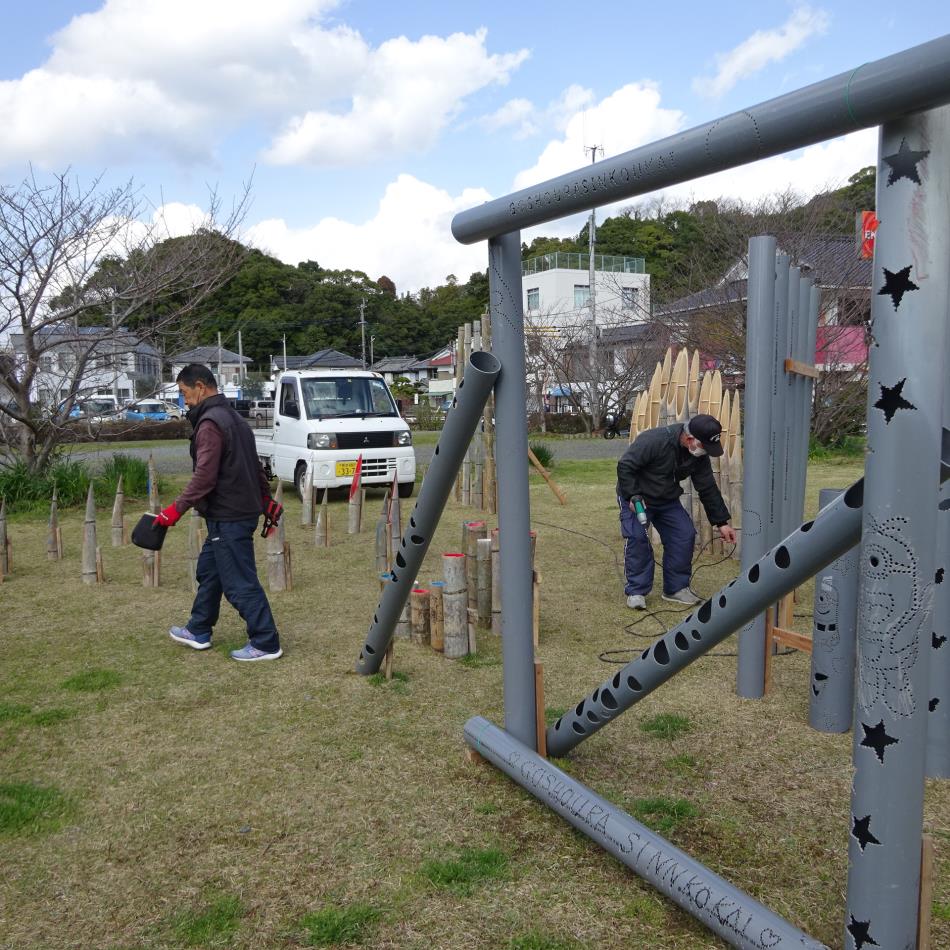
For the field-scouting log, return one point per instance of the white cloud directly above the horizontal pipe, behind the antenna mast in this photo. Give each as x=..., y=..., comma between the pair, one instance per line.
x=629, y=117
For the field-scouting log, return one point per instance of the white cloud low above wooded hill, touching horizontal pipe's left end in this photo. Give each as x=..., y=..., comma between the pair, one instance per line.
x=409, y=238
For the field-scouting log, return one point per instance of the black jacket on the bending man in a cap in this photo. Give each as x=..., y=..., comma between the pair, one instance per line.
x=656, y=463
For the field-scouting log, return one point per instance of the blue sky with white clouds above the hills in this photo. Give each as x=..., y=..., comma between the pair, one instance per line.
x=367, y=125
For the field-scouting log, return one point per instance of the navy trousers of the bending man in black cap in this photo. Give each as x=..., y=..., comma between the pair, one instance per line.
x=678, y=536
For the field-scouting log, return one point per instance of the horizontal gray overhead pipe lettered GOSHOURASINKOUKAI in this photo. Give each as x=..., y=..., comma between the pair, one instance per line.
x=909, y=81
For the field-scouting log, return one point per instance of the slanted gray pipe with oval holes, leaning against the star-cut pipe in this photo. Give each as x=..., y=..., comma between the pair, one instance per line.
x=803, y=553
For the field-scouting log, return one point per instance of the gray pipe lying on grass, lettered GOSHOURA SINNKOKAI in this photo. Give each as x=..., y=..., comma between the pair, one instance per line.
x=732, y=914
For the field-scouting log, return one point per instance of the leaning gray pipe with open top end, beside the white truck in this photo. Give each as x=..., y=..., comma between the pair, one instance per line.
x=460, y=425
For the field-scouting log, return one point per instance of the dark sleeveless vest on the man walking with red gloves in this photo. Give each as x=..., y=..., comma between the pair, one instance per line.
x=237, y=495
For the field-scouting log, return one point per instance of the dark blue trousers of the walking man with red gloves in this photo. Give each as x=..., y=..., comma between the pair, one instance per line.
x=226, y=566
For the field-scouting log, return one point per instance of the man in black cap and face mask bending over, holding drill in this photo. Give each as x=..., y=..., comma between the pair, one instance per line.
x=648, y=491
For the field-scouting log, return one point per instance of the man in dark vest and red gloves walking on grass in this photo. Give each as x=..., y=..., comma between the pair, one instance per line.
x=230, y=490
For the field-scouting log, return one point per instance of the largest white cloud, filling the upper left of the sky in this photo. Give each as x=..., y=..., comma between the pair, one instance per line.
x=171, y=77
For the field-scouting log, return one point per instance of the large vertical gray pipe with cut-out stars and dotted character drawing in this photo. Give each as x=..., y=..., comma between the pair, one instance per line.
x=910, y=293
